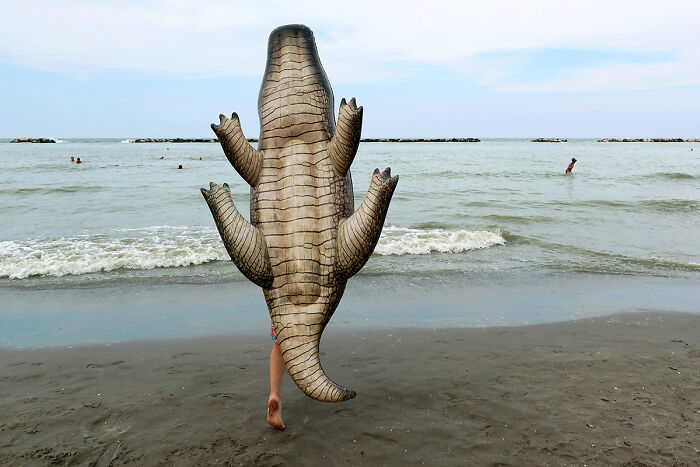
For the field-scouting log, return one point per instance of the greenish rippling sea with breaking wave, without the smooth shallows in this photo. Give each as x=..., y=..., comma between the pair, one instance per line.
x=463, y=214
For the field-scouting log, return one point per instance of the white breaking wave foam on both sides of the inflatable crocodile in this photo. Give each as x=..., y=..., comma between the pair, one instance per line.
x=167, y=247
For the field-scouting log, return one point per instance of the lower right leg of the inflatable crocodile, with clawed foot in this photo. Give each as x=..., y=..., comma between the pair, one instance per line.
x=359, y=233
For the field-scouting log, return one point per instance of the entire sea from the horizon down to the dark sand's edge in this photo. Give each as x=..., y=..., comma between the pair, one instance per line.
x=474, y=226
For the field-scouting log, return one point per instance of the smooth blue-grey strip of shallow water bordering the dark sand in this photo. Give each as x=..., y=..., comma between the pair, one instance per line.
x=69, y=316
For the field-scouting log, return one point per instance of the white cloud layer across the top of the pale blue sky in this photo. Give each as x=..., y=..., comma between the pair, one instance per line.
x=360, y=40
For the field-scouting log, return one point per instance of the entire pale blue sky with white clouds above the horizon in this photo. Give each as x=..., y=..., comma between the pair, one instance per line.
x=484, y=69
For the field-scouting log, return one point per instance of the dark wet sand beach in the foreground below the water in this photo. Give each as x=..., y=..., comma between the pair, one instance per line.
x=615, y=390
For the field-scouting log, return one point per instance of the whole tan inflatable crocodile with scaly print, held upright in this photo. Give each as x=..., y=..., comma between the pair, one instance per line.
x=303, y=241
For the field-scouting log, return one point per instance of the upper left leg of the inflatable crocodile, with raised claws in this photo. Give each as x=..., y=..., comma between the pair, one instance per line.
x=243, y=157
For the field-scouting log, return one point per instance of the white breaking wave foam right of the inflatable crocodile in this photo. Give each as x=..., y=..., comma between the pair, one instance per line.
x=397, y=240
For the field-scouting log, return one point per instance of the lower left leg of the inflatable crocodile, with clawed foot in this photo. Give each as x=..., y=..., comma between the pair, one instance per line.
x=244, y=242
